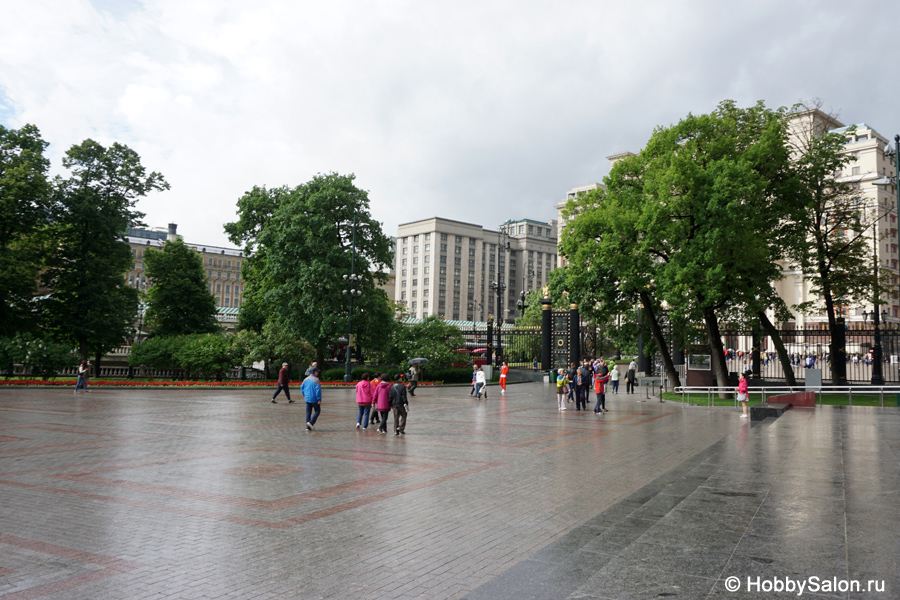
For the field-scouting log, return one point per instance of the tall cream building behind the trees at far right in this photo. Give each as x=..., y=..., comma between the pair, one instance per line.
x=868, y=163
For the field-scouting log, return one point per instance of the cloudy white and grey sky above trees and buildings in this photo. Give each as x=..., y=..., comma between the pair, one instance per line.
x=476, y=111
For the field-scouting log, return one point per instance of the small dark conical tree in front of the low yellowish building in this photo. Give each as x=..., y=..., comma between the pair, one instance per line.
x=179, y=301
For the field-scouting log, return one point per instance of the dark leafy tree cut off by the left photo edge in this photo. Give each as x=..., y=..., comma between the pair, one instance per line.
x=24, y=218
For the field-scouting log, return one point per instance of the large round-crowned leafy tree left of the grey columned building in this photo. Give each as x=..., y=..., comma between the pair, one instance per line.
x=299, y=243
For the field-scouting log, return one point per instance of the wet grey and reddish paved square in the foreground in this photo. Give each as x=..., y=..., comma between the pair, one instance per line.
x=169, y=494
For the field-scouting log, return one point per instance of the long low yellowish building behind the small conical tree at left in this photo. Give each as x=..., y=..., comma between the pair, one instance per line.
x=223, y=265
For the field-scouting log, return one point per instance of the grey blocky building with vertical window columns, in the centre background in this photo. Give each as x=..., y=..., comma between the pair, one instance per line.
x=445, y=267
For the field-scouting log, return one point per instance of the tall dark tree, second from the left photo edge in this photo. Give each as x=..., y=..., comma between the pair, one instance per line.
x=90, y=305
